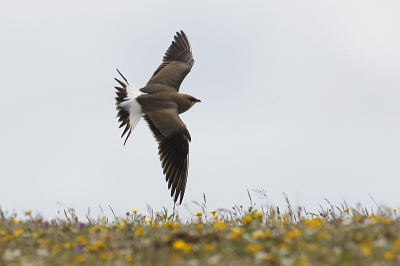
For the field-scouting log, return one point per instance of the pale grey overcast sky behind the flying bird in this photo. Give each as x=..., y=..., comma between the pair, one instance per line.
x=297, y=97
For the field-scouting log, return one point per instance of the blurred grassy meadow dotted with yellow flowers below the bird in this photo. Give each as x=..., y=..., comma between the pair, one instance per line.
x=239, y=236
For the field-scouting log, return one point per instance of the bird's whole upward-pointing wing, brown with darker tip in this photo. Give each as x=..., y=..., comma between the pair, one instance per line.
x=177, y=63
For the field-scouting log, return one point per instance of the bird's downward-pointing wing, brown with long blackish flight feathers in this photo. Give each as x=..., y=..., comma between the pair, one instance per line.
x=173, y=148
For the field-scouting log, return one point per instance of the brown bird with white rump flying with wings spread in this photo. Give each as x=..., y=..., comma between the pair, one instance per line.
x=160, y=103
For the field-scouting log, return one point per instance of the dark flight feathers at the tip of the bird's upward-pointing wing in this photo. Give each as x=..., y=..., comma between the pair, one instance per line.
x=180, y=50
